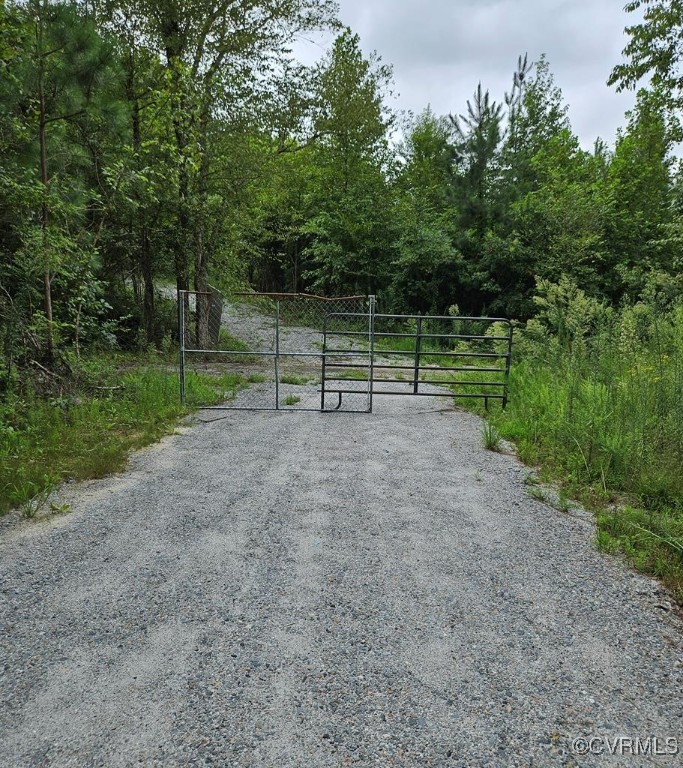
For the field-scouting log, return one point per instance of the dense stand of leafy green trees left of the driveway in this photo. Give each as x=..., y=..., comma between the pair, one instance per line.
x=113, y=127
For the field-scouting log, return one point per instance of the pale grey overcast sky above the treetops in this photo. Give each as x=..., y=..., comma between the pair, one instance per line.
x=441, y=49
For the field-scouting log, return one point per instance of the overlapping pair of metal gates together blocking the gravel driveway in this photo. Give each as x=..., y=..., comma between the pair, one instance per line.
x=300, y=352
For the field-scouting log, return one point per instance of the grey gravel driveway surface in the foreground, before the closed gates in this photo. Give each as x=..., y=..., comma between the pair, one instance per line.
x=312, y=590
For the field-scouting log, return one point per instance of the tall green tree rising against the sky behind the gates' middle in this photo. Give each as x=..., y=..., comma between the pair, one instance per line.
x=349, y=234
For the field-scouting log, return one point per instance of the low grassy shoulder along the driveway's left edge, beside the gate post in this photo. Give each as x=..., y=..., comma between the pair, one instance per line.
x=87, y=427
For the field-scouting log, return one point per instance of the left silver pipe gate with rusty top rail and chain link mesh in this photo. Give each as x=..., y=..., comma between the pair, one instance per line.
x=265, y=351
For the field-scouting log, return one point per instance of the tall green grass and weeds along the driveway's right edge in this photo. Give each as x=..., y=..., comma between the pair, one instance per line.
x=597, y=402
